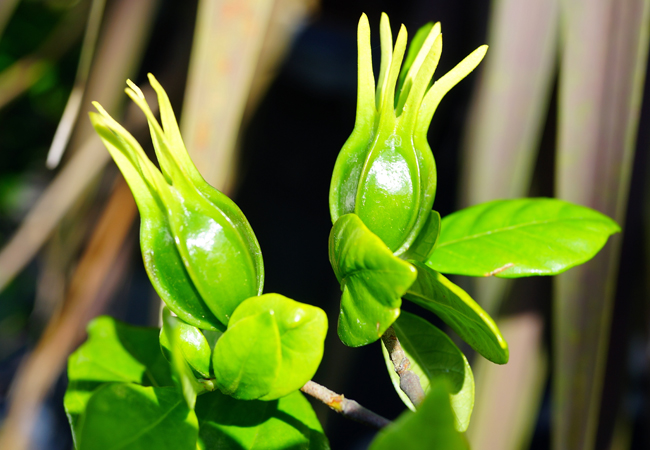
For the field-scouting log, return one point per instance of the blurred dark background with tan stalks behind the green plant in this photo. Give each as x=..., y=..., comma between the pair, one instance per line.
x=266, y=92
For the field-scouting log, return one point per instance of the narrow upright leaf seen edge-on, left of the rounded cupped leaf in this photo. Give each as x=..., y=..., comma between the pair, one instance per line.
x=181, y=370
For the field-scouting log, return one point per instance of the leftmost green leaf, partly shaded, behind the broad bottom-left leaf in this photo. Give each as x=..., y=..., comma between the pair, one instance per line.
x=114, y=352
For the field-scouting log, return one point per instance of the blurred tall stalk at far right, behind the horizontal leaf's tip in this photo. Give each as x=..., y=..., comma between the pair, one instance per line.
x=605, y=45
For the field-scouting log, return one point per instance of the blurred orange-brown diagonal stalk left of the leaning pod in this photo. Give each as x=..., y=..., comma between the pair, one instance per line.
x=43, y=366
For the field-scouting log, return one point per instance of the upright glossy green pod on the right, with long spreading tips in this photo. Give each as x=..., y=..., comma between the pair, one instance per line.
x=385, y=172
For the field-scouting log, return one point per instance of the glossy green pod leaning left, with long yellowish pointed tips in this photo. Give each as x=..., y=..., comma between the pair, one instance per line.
x=198, y=248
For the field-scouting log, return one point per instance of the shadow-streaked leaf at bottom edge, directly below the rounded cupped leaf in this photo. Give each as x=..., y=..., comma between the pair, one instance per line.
x=287, y=423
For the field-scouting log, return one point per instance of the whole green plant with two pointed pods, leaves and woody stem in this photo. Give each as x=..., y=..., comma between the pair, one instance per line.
x=225, y=370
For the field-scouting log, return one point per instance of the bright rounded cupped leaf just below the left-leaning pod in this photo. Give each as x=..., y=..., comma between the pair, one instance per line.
x=272, y=347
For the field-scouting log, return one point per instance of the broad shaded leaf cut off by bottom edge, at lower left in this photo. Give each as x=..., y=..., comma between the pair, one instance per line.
x=127, y=416
